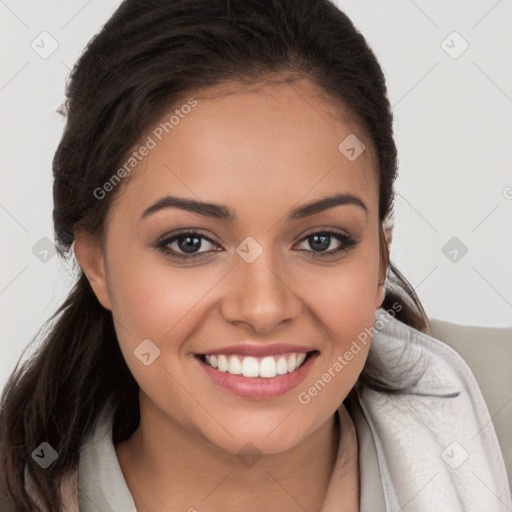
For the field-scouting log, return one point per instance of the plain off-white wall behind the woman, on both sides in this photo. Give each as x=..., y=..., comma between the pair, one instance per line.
x=453, y=128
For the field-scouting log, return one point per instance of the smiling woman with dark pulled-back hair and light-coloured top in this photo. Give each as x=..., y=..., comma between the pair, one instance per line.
x=225, y=181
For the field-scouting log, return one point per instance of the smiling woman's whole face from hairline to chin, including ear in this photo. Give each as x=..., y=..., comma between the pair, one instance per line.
x=273, y=282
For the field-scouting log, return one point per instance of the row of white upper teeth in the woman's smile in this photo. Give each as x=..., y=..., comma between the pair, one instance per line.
x=248, y=366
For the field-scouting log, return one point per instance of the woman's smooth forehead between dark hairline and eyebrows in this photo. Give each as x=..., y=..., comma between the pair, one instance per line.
x=266, y=145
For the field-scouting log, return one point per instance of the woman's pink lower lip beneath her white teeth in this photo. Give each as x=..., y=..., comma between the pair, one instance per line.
x=258, y=388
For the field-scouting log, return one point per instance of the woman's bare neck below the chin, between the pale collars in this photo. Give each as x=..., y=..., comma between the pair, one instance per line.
x=167, y=467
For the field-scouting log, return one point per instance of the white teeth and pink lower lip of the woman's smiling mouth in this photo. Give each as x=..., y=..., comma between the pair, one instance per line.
x=257, y=377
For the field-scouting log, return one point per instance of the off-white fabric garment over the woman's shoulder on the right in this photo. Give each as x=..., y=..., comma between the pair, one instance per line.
x=428, y=417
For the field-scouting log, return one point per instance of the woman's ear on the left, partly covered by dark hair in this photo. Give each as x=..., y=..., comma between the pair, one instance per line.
x=89, y=254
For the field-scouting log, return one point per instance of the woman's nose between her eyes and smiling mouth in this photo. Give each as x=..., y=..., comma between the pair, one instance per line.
x=260, y=295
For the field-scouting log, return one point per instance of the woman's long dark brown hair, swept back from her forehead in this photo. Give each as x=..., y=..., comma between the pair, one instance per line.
x=149, y=55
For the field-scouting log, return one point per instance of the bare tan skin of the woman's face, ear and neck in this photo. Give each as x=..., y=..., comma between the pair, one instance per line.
x=261, y=152
